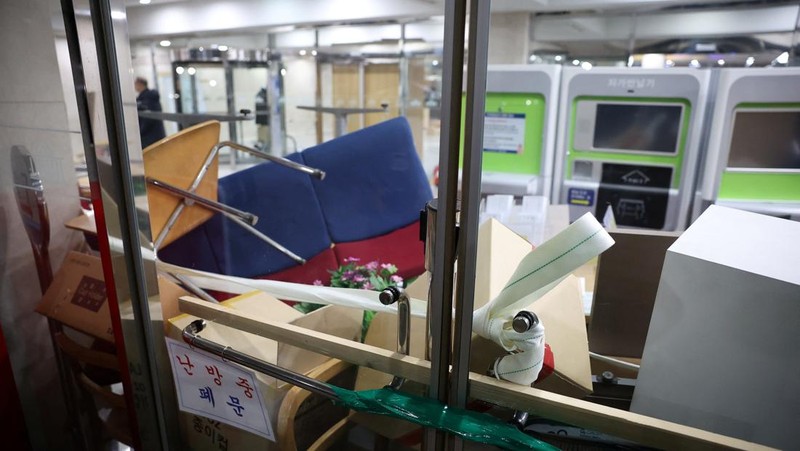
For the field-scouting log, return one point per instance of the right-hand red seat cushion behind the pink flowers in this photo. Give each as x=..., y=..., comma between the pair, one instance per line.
x=401, y=248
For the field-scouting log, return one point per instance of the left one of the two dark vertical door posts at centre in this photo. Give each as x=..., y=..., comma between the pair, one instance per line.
x=440, y=319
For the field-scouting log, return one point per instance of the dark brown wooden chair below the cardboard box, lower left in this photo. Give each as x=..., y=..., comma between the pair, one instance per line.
x=94, y=372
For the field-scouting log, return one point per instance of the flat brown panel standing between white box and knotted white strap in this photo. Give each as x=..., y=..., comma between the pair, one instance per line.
x=625, y=291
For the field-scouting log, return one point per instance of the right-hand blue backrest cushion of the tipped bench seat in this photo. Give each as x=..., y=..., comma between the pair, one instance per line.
x=375, y=182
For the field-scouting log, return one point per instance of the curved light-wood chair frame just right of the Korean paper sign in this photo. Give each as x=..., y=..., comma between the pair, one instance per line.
x=302, y=407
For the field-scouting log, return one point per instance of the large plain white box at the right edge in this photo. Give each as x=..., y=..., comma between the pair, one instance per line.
x=721, y=351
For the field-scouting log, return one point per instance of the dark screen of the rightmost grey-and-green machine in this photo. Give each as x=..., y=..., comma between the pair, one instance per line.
x=765, y=140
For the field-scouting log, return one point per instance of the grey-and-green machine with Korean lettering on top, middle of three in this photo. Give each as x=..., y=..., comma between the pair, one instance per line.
x=629, y=139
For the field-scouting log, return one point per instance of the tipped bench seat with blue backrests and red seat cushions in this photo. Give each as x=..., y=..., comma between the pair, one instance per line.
x=367, y=207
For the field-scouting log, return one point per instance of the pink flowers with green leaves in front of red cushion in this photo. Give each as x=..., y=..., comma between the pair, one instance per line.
x=370, y=276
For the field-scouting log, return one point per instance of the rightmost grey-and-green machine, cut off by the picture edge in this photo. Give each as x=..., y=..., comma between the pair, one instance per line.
x=753, y=158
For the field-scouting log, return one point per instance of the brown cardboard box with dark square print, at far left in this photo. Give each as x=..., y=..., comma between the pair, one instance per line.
x=77, y=297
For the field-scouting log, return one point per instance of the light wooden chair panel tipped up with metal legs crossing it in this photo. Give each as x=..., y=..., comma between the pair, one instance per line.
x=177, y=160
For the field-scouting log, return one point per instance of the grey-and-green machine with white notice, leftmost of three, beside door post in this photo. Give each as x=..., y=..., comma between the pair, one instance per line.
x=519, y=129
